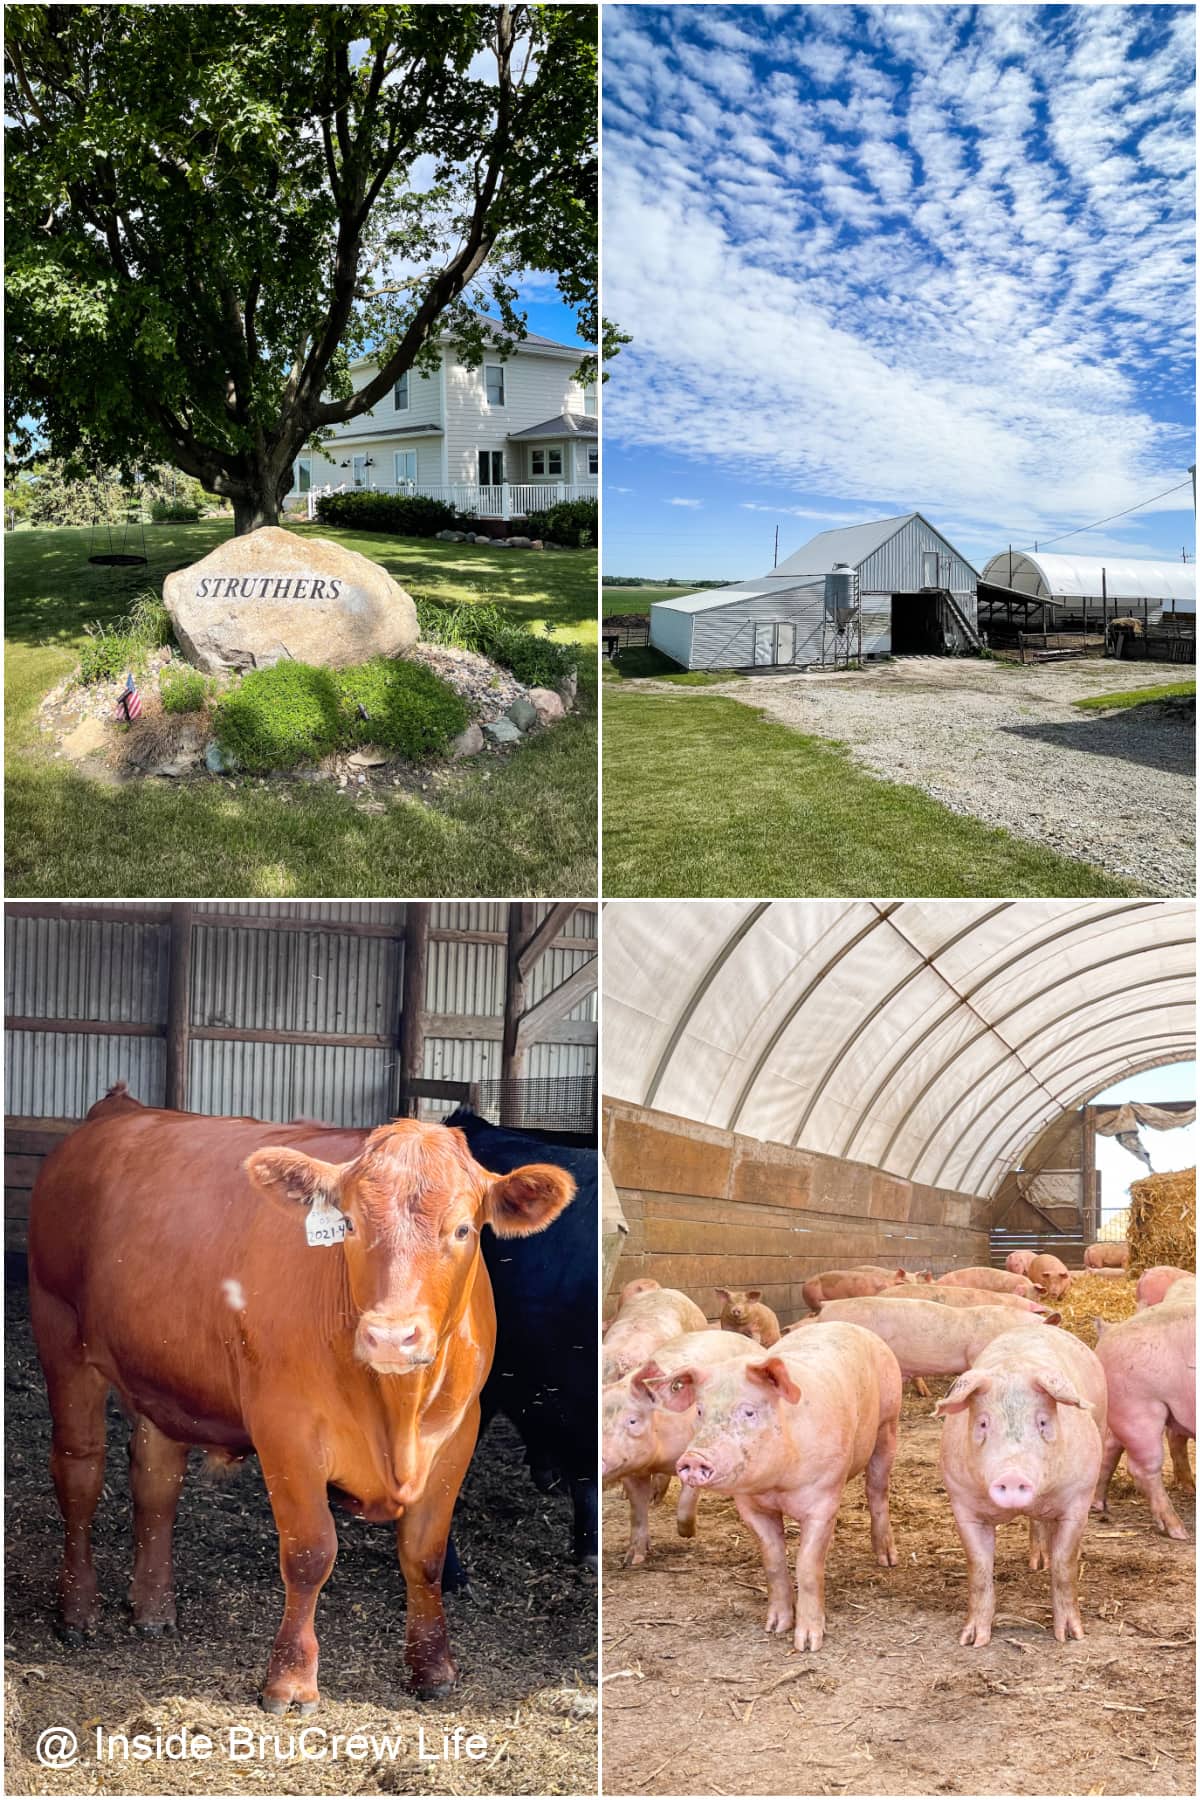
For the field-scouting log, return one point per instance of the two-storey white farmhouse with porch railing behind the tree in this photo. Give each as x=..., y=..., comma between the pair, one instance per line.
x=514, y=436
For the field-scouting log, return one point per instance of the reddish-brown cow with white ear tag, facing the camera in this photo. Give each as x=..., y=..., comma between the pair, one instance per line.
x=172, y=1259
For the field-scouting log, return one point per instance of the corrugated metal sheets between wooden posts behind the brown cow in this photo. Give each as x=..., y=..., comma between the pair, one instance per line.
x=247, y=978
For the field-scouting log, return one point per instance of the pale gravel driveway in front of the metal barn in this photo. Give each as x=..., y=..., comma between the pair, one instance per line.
x=1005, y=744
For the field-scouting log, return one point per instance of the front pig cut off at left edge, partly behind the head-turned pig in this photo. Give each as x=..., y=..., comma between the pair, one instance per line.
x=641, y=1441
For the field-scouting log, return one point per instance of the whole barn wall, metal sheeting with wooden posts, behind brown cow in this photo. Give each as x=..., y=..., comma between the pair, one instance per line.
x=343, y=1012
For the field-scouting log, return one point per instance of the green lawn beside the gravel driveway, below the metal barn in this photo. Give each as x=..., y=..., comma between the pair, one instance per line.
x=706, y=796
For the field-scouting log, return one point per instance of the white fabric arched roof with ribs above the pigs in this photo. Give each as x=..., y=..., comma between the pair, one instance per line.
x=931, y=1039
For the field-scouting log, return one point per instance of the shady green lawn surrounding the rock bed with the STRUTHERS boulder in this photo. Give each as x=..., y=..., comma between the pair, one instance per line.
x=523, y=827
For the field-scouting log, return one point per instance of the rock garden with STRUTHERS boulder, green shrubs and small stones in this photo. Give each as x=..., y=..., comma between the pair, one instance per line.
x=296, y=660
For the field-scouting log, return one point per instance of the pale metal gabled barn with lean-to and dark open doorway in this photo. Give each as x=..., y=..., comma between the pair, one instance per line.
x=915, y=591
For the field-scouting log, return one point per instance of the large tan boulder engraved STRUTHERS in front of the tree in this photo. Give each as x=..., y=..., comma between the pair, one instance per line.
x=274, y=595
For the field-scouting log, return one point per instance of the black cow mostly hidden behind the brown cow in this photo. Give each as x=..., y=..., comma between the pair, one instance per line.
x=546, y=1371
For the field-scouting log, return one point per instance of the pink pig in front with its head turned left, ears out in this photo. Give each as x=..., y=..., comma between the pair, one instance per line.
x=784, y=1435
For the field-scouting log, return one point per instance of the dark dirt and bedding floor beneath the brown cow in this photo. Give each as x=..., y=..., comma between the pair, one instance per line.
x=524, y=1637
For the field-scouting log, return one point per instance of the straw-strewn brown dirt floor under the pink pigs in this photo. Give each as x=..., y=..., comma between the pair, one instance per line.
x=699, y=1700
